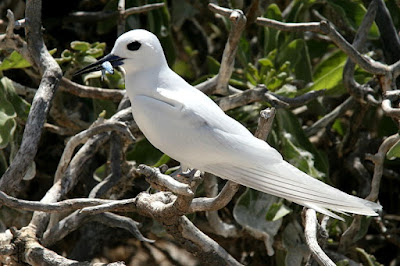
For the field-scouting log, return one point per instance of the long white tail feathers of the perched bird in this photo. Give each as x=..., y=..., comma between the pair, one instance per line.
x=286, y=181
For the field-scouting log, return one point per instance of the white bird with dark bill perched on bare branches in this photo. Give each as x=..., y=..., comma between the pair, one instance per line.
x=185, y=124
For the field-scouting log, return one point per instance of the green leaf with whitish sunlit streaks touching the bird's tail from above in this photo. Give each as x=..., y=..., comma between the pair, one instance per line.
x=297, y=149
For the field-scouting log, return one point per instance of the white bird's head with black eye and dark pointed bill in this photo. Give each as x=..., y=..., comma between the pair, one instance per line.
x=134, y=50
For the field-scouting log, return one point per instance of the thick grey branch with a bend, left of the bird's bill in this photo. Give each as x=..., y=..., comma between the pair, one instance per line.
x=41, y=102
